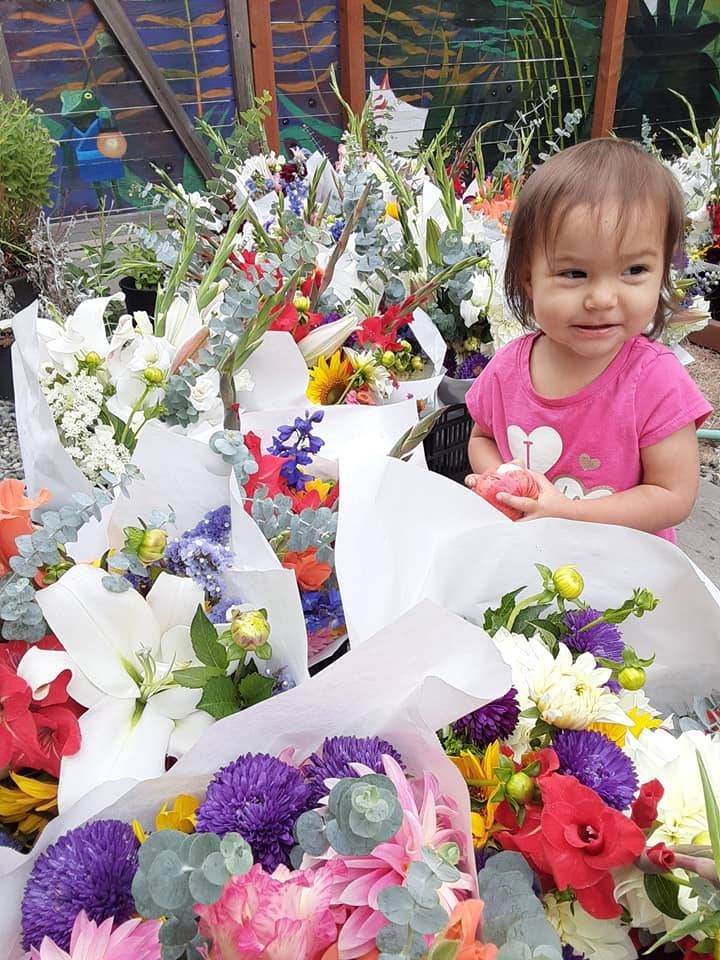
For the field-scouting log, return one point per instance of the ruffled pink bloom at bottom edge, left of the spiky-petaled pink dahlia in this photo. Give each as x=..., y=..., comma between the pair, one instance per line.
x=288, y=915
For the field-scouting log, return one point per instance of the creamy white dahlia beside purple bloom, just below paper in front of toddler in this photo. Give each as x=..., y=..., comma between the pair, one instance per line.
x=567, y=694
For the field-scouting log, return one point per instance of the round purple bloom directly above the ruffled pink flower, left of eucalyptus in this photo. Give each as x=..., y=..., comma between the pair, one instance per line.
x=259, y=797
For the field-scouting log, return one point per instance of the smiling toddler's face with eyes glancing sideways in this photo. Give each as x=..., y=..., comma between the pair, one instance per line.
x=595, y=288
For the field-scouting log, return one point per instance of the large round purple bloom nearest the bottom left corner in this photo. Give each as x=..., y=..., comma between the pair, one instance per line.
x=91, y=868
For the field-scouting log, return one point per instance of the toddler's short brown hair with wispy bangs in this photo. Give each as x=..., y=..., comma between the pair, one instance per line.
x=593, y=173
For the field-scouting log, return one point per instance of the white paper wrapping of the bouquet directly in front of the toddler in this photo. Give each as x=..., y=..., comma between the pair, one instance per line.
x=403, y=538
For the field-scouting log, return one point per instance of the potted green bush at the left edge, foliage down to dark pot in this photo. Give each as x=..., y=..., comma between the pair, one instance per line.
x=26, y=166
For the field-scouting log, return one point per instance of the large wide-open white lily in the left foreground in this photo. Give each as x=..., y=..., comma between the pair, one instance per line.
x=120, y=649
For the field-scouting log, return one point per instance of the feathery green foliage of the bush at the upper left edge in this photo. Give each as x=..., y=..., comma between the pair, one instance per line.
x=26, y=166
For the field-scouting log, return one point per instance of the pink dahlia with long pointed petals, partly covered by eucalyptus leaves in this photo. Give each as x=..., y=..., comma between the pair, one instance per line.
x=426, y=823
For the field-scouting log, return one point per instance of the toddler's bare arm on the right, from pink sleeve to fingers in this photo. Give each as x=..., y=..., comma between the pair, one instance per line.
x=664, y=499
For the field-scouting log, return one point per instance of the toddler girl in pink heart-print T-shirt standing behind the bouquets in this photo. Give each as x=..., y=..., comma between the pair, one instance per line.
x=603, y=416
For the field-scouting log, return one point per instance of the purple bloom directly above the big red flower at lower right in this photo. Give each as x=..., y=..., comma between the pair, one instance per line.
x=598, y=763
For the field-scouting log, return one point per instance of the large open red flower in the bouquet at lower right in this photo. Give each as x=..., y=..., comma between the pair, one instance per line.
x=578, y=840
